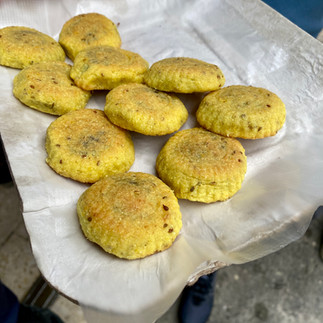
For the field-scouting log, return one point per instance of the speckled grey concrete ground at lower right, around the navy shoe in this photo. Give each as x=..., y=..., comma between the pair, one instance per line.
x=284, y=287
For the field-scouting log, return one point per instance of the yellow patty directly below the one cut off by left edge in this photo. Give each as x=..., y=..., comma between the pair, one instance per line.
x=47, y=87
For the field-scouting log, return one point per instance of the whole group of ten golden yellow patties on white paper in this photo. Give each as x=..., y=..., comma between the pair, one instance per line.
x=132, y=214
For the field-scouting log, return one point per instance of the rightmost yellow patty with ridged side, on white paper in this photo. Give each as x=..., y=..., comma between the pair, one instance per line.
x=242, y=111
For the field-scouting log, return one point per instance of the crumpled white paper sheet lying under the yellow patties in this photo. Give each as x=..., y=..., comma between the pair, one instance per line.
x=253, y=45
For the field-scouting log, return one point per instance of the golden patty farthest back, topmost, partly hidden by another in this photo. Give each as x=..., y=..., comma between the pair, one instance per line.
x=86, y=30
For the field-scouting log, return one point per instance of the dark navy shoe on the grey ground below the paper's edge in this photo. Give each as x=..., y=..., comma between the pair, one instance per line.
x=197, y=300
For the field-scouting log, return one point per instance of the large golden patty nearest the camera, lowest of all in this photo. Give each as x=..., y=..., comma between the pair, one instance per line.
x=130, y=215
